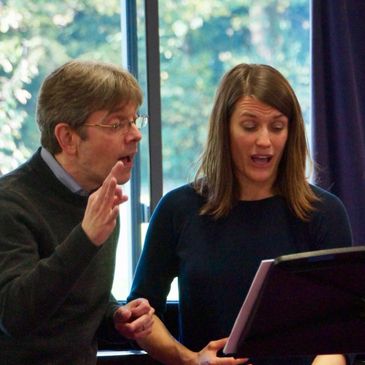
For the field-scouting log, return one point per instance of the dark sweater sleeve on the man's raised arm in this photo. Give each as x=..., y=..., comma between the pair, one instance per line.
x=33, y=288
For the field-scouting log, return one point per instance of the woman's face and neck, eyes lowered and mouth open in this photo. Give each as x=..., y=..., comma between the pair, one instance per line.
x=258, y=135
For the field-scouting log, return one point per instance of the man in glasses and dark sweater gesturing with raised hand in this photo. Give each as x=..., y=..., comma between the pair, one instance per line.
x=59, y=221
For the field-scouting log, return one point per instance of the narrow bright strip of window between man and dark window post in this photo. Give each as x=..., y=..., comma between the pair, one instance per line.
x=128, y=243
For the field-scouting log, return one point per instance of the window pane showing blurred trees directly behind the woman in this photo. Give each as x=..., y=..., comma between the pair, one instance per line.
x=199, y=41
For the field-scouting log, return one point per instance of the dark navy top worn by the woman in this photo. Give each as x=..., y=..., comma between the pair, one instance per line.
x=215, y=260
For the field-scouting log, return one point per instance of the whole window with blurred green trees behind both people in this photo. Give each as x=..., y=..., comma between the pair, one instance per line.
x=199, y=41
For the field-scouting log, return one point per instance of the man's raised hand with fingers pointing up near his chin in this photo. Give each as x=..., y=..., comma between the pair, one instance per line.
x=103, y=207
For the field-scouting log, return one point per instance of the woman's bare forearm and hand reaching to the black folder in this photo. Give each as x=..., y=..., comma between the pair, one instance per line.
x=162, y=346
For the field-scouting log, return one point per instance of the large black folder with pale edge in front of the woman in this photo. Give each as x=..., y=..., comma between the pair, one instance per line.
x=304, y=304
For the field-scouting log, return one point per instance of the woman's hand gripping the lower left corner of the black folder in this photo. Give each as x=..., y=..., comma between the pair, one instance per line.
x=208, y=355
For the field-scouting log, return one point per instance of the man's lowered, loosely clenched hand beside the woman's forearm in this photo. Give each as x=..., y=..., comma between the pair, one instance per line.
x=135, y=319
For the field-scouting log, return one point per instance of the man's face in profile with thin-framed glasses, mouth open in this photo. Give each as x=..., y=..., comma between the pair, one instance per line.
x=104, y=146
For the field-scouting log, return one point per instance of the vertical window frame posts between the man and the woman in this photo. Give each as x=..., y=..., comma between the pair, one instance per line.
x=153, y=101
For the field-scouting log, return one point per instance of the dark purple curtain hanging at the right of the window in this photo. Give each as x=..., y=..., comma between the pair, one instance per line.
x=338, y=103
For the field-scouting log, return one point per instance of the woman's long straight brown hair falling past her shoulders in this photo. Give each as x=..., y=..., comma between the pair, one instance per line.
x=215, y=178
